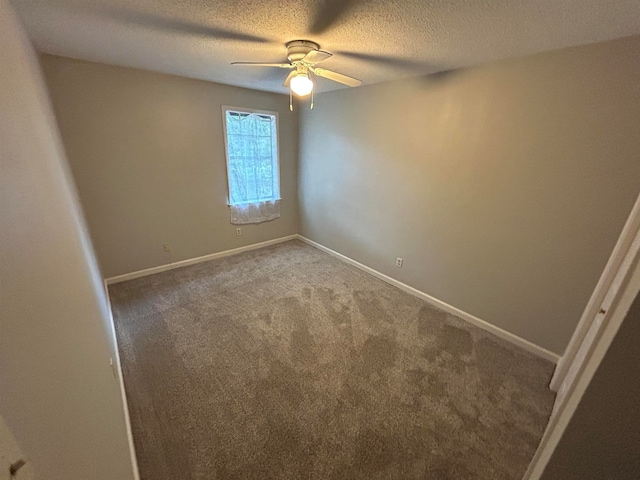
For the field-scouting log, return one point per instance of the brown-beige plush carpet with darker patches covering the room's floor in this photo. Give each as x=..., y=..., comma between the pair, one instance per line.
x=285, y=363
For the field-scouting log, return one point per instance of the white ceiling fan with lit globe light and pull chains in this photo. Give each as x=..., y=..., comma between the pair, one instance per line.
x=303, y=56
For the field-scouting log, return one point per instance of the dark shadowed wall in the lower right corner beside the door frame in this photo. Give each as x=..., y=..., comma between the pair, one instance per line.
x=602, y=439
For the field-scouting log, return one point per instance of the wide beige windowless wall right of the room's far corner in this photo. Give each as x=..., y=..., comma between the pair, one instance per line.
x=503, y=187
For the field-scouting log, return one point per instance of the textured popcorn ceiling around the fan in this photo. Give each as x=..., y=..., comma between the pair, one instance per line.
x=373, y=40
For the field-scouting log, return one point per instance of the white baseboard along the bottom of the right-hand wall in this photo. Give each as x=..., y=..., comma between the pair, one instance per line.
x=497, y=331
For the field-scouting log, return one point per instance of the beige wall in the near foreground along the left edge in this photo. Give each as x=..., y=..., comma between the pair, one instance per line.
x=58, y=395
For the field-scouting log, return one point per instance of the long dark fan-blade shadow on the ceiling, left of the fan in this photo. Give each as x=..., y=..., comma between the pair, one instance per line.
x=158, y=22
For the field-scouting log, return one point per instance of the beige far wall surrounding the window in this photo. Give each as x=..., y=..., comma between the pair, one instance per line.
x=147, y=154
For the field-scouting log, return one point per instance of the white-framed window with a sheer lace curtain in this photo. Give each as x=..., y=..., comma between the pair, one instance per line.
x=252, y=165
